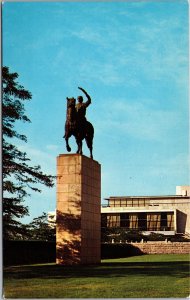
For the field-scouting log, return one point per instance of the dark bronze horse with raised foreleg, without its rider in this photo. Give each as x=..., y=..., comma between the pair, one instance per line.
x=80, y=129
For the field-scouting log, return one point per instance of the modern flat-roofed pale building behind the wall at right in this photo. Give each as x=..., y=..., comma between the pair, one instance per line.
x=160, y=214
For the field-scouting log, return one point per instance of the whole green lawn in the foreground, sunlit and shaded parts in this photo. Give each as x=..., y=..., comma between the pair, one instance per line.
x=146, y=276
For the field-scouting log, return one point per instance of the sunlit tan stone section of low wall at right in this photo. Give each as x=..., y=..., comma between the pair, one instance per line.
x=163, y=247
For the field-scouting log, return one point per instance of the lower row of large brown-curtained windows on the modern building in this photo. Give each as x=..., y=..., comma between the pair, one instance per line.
x=163, y=221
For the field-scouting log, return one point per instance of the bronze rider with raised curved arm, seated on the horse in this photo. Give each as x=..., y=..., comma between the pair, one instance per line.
x=81, y=108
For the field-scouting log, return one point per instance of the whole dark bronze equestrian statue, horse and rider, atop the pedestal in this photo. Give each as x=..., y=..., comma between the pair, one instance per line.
x=76, y=123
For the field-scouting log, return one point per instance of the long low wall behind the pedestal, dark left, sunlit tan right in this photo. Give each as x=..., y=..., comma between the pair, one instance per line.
x=27, y=252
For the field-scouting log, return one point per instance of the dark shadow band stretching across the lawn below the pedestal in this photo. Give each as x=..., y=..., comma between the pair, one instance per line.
x=179, y=269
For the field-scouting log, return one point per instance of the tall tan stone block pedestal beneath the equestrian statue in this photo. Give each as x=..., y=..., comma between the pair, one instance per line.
x=78, y=215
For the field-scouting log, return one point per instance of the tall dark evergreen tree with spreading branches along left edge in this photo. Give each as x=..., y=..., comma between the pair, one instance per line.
x=19, y=177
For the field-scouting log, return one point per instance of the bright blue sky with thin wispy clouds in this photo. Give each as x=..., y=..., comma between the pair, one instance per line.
x=132, y=58
